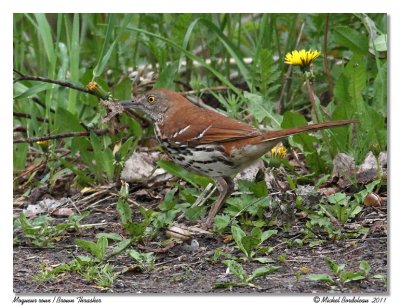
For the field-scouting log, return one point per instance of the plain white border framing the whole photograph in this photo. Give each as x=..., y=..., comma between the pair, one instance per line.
x=125, y=6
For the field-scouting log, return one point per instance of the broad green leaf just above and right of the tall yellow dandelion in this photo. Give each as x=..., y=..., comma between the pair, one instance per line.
x=352, y=39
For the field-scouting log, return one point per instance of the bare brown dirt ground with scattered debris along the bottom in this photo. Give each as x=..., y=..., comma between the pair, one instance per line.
x=182, y=270
